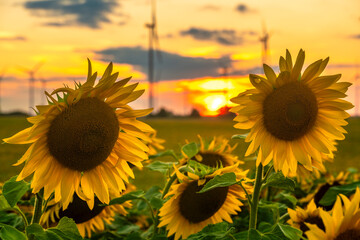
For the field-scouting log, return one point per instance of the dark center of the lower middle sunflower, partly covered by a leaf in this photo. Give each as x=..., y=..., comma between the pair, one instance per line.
x=197, y=207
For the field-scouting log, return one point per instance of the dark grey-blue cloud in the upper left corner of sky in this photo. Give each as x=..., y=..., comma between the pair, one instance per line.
x=90, y=13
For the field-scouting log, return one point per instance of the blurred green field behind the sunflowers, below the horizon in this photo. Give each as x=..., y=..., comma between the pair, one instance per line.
x=175, y=131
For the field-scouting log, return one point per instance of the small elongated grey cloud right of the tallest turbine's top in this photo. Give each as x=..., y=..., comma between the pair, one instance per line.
x=224, y=36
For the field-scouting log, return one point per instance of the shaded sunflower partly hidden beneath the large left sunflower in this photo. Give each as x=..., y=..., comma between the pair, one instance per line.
x=87, y=220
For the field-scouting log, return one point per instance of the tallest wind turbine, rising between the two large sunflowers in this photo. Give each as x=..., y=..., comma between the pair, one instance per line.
x=153, y=43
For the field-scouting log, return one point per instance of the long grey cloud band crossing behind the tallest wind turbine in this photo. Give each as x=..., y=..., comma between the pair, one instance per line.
x=173, y=66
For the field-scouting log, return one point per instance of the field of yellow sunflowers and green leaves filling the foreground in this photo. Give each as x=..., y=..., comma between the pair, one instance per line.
x=92, y=167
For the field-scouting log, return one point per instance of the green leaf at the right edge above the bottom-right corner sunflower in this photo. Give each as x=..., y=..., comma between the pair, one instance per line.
x=330, y=196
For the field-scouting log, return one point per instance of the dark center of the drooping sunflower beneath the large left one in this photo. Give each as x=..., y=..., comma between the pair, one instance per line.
x=79, y=210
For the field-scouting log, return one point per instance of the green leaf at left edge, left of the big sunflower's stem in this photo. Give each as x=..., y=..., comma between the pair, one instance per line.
x=13, y=190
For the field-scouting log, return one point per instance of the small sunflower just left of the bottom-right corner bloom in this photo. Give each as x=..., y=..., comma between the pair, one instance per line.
x=299, y=217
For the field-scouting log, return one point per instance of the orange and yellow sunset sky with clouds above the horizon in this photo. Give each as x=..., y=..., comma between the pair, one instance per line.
x=196, y=39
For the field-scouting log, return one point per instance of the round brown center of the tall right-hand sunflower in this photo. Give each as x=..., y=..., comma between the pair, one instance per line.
x=290, y=111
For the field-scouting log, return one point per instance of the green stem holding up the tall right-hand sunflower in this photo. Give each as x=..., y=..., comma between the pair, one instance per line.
x=255, y=197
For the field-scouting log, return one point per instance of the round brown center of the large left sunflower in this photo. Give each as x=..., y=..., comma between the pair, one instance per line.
x=83, y=135
